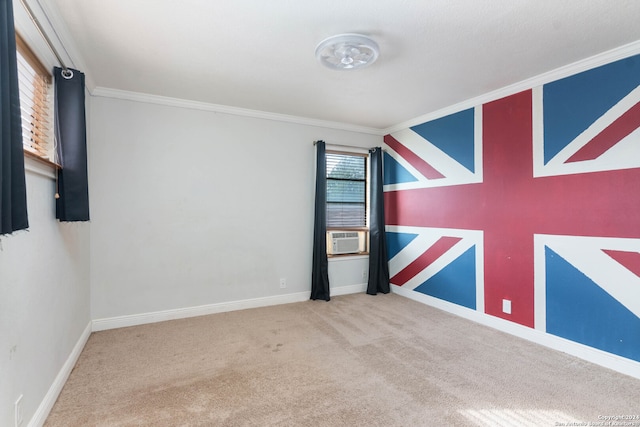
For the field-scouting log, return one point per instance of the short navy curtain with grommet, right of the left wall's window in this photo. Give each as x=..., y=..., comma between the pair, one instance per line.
x=71, y=136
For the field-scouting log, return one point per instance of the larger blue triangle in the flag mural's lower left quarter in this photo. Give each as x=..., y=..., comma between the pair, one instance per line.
x=455, y=283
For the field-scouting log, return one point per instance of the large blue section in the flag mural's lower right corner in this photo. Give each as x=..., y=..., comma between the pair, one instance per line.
x=580, y=310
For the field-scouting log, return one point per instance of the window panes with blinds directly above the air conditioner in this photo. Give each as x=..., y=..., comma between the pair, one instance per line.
x=346, y=191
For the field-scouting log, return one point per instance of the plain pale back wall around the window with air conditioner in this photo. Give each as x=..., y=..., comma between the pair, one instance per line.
x=194, y=207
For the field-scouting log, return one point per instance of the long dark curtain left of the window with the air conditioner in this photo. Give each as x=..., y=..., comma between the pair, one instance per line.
x=320, y=268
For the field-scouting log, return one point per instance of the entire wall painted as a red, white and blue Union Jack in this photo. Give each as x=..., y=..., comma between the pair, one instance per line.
x=533, y=198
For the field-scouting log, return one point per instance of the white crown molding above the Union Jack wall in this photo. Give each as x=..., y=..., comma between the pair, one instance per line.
x=607, y=57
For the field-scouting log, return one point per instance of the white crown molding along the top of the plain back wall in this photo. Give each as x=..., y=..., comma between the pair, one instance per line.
x=225, y=109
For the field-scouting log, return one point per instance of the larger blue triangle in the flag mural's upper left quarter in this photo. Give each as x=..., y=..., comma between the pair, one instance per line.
x=452, y=134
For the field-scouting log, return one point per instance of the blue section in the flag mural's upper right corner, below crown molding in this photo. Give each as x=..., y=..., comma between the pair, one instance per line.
x=572, y=104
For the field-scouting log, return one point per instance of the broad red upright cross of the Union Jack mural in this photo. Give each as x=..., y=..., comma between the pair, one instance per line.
x=510, y=206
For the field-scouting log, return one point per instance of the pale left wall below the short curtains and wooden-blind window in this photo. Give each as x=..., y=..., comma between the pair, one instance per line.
x=44, y=299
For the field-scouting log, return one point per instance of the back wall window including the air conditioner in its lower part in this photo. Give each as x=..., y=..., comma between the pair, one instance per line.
x=347, y=206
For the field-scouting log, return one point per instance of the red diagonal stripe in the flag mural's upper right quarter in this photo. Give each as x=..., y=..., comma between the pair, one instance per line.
x=610, y=136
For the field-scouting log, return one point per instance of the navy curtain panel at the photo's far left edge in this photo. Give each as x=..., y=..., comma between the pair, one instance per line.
x=13, y=189
